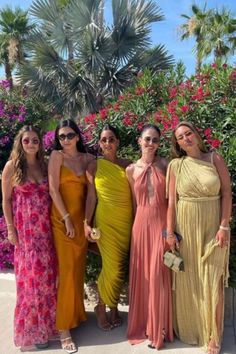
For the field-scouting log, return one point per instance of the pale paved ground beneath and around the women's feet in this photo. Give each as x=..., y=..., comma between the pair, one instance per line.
x=89, y=338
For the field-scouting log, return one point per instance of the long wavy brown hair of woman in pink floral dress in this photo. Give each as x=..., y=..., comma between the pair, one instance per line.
x=18, y=155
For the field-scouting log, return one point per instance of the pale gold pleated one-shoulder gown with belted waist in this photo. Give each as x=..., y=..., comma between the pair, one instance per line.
x=206, y=264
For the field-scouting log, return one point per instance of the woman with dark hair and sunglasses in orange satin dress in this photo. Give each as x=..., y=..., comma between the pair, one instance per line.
x=67, y=185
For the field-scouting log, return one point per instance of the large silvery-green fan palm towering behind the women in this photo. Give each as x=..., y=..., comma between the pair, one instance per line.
x=77, y=60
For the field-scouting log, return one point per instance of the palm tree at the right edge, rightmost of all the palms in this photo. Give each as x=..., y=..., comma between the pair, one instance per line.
x=220, y=37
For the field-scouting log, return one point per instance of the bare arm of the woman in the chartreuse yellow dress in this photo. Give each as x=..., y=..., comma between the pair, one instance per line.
x=91, y=199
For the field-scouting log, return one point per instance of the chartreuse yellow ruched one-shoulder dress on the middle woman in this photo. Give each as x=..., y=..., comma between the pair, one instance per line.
x=114, y=218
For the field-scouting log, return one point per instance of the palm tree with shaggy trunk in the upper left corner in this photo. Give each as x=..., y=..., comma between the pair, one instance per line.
x=14, y=30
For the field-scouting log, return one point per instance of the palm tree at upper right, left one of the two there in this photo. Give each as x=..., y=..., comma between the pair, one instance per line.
x=196, y=26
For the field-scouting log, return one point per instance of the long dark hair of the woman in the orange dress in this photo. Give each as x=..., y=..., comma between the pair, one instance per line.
x=71, y=124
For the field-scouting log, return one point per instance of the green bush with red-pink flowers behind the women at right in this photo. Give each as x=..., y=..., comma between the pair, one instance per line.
x=206, y=99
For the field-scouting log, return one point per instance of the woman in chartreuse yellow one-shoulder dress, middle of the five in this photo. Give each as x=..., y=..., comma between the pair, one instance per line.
x=109, y=198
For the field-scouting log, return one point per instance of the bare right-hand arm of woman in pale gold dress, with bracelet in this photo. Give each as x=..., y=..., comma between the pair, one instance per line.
x=222, y=235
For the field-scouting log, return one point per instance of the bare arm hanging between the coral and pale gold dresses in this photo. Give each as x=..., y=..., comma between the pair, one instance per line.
x=171, y=213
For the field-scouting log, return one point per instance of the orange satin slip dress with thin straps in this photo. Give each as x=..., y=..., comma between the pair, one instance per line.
x=71, y=253
